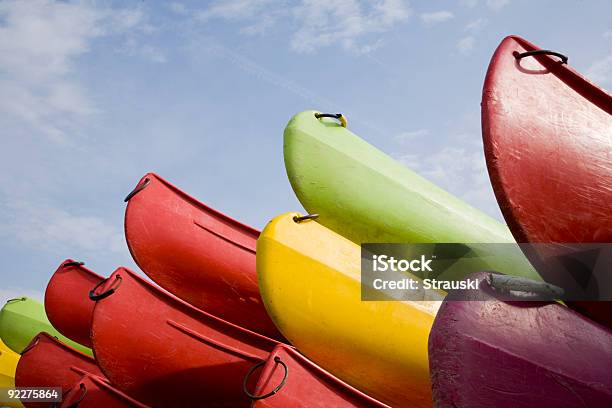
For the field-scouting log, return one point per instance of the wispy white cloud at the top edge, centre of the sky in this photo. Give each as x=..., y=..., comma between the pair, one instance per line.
x=350, y=24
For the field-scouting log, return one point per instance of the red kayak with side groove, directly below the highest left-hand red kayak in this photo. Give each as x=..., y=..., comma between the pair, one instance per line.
x=162, y=351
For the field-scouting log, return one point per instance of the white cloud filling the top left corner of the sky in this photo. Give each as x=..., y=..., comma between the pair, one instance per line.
x=39, y=43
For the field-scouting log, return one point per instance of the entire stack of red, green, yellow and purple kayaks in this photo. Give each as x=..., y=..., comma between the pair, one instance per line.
x=279, y=318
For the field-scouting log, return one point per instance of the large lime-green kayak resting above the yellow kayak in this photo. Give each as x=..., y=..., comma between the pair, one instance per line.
x=328, y=167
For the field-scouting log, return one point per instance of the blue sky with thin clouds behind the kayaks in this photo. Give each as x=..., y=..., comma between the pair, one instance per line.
x=95, y=94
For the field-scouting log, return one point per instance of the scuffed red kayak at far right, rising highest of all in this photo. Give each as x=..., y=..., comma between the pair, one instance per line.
x=549, y=160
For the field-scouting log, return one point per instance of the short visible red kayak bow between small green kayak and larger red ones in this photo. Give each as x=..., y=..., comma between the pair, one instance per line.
x=66, y=300
